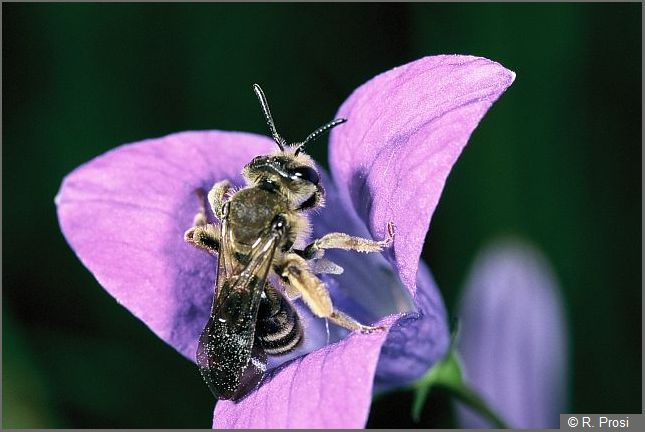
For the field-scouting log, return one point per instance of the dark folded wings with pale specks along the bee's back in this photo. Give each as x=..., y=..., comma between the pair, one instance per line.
x=225, y=345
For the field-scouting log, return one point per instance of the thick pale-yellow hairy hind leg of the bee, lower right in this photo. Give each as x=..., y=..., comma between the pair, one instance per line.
x=295, y=271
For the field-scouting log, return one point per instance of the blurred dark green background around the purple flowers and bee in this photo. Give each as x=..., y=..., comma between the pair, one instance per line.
x=557, y=161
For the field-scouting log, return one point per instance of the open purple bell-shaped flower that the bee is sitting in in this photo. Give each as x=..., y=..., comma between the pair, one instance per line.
x=125, y=212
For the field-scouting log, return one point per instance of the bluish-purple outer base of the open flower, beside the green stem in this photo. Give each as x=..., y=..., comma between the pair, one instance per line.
x=417, y=340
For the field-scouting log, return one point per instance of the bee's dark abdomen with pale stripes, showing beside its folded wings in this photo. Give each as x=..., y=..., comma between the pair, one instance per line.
x=279, y=330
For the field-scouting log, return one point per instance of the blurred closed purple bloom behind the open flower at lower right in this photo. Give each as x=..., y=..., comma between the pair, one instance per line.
x=513, y=338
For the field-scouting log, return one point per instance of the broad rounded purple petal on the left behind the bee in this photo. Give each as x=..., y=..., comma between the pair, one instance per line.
x=125, y=212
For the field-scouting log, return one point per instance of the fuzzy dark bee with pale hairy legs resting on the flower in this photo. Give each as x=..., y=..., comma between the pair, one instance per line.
x=259, y=224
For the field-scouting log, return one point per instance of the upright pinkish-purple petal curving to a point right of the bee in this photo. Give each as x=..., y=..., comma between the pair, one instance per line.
x=405, y=130
